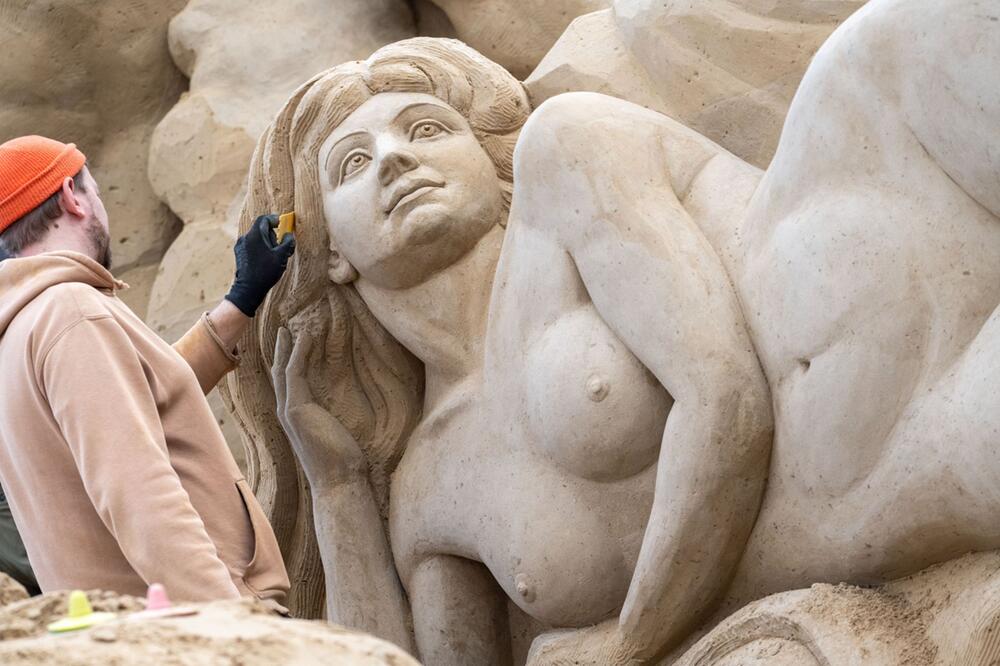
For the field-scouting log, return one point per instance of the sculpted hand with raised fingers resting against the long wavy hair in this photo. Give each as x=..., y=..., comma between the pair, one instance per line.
x=328, y=452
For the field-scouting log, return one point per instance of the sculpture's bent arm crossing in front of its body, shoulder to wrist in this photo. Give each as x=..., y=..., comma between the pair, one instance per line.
x=657, y=282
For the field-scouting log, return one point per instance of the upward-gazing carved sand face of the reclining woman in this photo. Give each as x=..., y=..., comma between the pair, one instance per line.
x=407, y=189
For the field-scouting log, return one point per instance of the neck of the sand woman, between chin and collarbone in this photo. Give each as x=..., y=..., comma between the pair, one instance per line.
x=442, y=321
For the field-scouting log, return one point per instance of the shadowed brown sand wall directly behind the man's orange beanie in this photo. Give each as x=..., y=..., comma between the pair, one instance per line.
x=98, y=75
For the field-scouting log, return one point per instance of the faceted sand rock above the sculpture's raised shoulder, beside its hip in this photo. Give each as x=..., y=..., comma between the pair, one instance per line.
x=726, y=69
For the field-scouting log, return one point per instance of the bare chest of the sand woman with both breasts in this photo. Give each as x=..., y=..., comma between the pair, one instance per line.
x=535, y=473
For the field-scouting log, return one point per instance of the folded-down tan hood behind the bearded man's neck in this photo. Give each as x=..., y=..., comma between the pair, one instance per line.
x=22, y=280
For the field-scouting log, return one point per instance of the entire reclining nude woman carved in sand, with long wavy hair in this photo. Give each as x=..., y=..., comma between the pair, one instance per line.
x=594, y=430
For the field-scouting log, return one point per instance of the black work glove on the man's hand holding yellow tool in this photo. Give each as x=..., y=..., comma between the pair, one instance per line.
x=260, y=263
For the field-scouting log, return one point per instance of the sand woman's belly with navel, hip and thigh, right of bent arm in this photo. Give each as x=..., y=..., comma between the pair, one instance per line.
x=873, y=305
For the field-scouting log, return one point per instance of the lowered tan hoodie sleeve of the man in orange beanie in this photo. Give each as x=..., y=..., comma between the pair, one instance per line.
x=100, y=396
